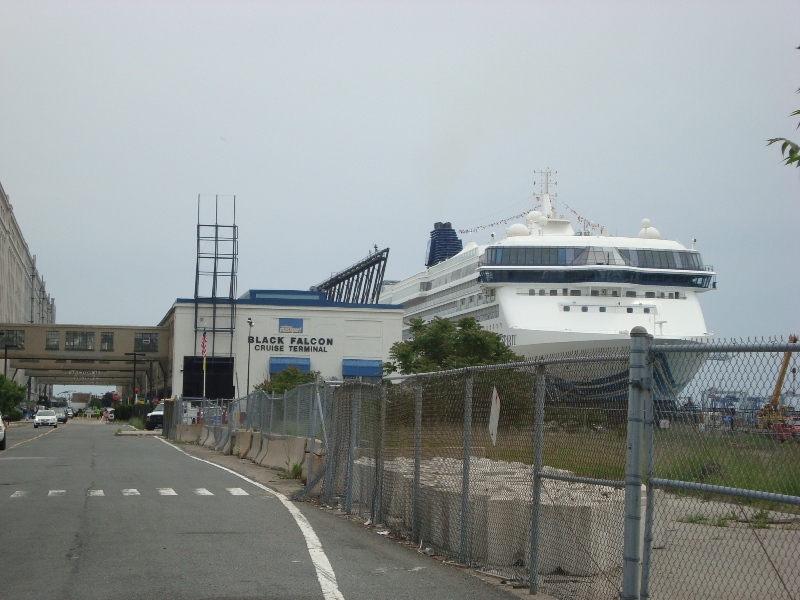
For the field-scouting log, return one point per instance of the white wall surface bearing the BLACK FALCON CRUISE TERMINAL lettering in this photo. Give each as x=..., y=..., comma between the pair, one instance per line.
x=361, y=332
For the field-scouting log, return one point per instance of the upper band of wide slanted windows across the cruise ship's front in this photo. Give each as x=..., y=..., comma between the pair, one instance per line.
x=544, y=256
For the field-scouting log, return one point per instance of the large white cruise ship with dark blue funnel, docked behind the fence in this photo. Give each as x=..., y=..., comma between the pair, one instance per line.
x=546, y=288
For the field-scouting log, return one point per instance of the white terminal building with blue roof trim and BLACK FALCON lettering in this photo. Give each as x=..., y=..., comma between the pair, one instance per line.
x=272, y=330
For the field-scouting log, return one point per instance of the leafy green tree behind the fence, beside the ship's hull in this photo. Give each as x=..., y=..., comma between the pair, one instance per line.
x=441, y=344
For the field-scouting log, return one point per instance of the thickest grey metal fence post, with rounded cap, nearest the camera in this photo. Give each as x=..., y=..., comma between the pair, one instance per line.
x=637, y=391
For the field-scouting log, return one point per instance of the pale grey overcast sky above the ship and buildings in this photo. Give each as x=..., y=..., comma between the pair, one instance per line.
x=339, y=125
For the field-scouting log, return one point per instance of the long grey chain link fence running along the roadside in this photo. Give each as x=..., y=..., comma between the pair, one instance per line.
x=656, y=471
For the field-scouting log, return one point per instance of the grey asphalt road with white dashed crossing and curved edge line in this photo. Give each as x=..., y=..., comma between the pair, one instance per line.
x=87, y=514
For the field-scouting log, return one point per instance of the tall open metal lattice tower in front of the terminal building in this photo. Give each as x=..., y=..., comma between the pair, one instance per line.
x=215, y=280
